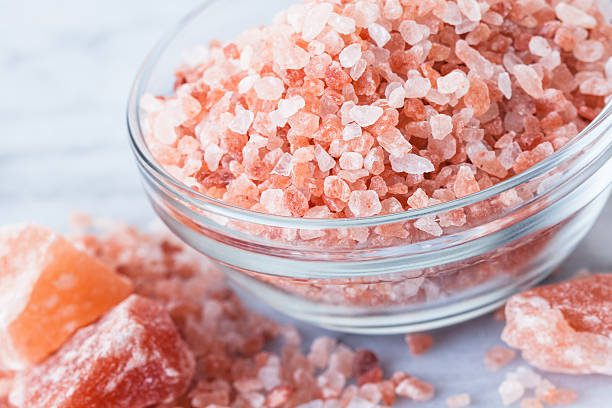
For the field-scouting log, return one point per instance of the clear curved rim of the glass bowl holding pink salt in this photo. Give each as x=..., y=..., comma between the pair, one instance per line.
x=207, y=203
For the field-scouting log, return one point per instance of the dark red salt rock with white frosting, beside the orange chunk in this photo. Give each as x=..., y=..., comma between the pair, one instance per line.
x=134, y=357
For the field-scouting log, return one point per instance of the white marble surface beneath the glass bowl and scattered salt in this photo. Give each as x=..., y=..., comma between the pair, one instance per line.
x=65, y=71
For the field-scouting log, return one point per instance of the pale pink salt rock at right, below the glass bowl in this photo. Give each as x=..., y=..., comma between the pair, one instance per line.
x=566, y=327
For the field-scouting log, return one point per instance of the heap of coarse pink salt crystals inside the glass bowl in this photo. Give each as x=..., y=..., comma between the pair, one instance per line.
x=367, y=107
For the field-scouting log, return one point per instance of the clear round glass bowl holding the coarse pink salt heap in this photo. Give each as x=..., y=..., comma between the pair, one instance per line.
x=380, y=274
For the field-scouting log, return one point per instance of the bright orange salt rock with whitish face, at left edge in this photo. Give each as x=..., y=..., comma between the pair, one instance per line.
x=48, y=289
